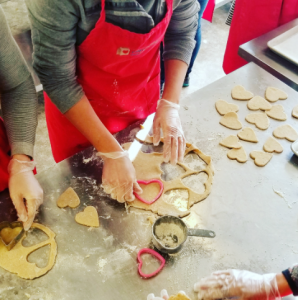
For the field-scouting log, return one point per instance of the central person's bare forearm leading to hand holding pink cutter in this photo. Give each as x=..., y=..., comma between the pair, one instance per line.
x=83, y=117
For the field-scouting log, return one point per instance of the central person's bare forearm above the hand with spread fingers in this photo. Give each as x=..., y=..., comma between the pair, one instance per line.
x=175, y=71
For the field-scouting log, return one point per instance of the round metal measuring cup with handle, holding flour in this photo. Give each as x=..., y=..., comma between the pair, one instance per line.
x=178, y=236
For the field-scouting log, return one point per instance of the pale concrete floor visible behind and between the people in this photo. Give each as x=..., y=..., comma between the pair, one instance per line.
x=207, y=68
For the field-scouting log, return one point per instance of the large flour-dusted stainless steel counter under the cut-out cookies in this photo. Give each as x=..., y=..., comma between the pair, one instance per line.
x=256, y=229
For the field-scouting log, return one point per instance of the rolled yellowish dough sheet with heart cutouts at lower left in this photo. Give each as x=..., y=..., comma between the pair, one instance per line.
x=15, y=260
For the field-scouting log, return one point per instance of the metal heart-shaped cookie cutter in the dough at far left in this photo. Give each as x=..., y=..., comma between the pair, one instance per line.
x=5, y=230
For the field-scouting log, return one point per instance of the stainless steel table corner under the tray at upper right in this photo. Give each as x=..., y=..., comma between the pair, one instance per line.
x=258, y=52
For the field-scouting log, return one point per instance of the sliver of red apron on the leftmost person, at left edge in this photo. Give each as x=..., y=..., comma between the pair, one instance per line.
x=4, y=157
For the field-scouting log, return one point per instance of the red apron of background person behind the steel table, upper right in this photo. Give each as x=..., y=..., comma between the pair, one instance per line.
x=253, y=18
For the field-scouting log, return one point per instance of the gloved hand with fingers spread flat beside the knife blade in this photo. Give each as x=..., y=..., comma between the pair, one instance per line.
x=167, y=119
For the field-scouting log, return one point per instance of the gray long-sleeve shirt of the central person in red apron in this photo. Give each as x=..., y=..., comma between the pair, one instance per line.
x=59, y=26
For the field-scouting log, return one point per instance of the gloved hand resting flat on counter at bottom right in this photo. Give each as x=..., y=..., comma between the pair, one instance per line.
x=239, y=285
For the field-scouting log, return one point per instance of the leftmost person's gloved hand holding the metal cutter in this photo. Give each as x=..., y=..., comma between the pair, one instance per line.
x=25, y=191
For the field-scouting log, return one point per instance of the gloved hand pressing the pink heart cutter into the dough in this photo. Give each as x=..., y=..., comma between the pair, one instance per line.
x=119, y=176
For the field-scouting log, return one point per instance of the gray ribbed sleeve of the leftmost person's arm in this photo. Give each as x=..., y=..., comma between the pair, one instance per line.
x=18, y=97
